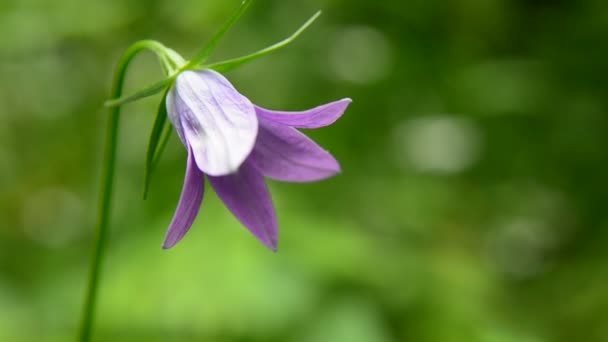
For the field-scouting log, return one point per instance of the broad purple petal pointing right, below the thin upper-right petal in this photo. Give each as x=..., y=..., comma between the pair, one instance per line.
x=283, y=153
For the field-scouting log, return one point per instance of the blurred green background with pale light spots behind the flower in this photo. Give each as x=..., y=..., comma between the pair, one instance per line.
x=472, y=206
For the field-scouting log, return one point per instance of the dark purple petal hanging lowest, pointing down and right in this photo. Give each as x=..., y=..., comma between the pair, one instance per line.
x=246, y=195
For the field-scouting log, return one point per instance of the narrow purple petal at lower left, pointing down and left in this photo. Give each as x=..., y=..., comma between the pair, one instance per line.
x=189, y=203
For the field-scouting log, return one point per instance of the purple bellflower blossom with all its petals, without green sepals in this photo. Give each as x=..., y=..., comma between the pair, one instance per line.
x=236, y=144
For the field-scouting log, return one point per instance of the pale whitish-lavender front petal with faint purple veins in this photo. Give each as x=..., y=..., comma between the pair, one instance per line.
x=218, y=122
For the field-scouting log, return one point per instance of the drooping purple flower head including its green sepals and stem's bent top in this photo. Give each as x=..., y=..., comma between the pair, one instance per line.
x=235, y=143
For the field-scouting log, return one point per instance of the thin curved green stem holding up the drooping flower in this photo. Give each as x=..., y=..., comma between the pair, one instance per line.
x=107, y=179
